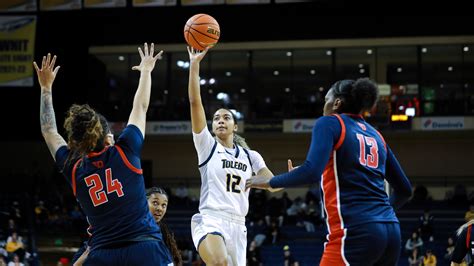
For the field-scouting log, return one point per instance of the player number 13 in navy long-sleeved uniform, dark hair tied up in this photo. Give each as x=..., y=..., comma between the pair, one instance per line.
x=351, y=160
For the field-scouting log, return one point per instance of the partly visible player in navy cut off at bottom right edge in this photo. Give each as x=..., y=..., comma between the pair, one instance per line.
x=464, y=245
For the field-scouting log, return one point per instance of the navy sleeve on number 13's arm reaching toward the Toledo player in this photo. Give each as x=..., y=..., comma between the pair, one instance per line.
x=326, y=132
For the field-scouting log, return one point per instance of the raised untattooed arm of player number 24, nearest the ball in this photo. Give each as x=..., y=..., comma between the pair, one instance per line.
x=142, y=96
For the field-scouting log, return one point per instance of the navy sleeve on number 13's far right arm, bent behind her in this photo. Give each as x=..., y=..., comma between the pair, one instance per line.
x=397, y=179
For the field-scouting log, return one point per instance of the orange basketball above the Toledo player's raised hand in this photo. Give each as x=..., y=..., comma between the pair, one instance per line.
x=201, y=31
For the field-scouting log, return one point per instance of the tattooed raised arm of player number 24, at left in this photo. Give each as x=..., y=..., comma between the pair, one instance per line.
x=46, y=75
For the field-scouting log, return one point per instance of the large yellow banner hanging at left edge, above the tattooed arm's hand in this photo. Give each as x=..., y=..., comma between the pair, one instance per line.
x=17, y=42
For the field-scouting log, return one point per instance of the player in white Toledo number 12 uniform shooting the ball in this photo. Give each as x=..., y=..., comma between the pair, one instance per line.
x=218, y=230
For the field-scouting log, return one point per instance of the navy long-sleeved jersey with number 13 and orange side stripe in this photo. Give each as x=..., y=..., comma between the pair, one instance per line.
x=351, y=160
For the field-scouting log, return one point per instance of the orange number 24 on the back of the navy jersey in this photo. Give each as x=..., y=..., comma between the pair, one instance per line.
x=96, y=187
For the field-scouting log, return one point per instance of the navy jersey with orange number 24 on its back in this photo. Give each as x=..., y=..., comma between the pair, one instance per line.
x=110, y=188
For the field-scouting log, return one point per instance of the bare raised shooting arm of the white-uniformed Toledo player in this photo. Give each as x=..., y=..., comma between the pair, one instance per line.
x=198, y=116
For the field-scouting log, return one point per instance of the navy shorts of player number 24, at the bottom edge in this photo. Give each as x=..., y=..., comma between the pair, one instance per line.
x=139, y=253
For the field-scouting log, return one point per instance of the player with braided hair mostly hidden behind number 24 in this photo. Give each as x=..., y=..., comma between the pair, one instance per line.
x=158, y=205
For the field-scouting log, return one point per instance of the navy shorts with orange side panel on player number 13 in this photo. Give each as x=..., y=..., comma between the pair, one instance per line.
x=368, y=244
